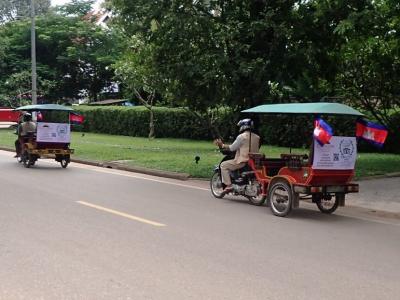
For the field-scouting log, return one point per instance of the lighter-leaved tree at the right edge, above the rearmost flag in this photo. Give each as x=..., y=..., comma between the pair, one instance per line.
x=370, y=59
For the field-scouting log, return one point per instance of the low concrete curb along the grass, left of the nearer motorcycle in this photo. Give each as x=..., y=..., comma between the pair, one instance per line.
x=118, y=166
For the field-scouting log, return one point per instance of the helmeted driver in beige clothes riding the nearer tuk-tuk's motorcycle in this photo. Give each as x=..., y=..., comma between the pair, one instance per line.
x=245, y=143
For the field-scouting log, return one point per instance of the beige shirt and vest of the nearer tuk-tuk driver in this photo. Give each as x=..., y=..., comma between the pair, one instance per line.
x=245, y=144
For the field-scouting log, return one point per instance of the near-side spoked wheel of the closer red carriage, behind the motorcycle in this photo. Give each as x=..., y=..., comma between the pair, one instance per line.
x=280, y=198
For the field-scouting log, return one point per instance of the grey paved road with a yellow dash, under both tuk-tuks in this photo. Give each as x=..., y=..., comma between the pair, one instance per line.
x=90, y=233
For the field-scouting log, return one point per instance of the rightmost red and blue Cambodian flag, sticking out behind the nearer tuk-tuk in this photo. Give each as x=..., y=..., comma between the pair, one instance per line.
x=371, y=132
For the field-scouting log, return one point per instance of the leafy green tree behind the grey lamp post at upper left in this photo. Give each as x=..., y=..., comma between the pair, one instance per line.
x=73, y=56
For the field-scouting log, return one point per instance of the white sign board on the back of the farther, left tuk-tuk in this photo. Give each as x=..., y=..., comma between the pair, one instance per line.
x=53, y=132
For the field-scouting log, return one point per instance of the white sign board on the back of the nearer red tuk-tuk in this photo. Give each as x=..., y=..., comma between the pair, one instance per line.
x=339, y=154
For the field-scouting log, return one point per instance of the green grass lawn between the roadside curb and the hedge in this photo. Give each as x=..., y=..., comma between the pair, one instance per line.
x=179, y=154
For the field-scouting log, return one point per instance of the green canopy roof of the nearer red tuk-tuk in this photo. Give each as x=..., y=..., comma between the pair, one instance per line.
x=316, y=108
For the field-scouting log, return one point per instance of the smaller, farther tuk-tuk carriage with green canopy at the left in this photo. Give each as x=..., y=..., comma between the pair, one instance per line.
x=52, y=136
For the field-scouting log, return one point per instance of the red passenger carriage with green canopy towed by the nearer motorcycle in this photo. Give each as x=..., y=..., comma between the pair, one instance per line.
x=323, y=175
